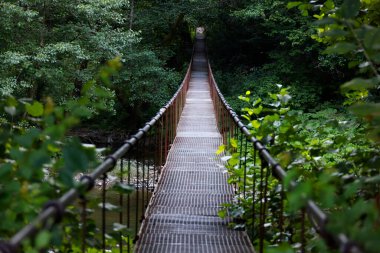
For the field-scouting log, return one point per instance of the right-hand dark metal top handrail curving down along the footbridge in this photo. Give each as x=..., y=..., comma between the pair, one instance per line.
x=317, y=217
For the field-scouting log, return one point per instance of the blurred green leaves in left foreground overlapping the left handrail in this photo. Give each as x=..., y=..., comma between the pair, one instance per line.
x=38, y=161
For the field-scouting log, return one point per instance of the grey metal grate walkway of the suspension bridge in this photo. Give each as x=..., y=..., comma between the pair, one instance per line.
x=182, y=216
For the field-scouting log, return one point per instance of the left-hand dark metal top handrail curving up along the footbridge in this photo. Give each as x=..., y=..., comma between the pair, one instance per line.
x=54, y=210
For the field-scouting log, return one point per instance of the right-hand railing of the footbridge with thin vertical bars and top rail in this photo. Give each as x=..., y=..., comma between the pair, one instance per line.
x=253, y=185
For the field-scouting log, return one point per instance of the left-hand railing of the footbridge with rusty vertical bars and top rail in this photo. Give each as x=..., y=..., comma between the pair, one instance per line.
x=136, y=164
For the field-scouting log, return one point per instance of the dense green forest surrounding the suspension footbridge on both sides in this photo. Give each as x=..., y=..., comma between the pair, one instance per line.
x=304, y=76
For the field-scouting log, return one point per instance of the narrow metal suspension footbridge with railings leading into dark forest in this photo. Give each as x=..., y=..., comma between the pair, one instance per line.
x=181, y=184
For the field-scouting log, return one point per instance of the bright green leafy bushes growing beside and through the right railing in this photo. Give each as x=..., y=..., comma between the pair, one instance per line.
x=326, y=153
